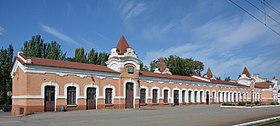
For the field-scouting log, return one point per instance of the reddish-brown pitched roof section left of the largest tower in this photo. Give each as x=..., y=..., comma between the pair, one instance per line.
x=64, y=64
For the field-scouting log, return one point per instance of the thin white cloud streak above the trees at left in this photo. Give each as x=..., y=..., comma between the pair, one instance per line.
x=58, y=34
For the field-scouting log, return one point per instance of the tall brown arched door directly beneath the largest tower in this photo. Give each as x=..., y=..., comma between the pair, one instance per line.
x=129, y=95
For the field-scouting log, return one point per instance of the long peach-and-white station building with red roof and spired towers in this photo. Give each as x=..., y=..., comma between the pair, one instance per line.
x=41, y=85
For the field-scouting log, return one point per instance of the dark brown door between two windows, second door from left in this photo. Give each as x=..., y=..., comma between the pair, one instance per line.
x=91, y=98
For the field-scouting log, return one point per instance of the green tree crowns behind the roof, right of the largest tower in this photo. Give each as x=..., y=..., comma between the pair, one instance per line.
x=180, y=66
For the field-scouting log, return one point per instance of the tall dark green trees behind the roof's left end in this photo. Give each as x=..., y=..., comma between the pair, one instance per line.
x=38, y=48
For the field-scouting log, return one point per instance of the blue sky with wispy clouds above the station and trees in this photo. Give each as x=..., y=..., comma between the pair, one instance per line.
x=215, y=32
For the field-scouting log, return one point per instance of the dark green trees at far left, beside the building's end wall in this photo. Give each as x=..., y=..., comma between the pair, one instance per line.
x=6, y=64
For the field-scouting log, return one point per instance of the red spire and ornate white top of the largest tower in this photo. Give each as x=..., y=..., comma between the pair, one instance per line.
x=121, y=55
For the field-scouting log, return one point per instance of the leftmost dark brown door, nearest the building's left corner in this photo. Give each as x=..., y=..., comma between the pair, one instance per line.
x=49, y=98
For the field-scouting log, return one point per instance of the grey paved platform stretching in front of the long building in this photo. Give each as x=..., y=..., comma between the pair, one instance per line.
x=176, y=116
